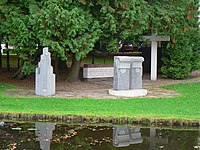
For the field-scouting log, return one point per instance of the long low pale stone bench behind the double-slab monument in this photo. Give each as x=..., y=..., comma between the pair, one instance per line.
x=92, y=71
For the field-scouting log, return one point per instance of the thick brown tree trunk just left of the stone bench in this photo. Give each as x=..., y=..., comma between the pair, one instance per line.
x=73, y=74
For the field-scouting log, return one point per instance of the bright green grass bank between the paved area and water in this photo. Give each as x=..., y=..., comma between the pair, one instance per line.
x=185, y=107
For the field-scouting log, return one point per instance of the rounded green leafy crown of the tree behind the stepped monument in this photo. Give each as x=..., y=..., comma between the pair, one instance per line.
x=65, y=28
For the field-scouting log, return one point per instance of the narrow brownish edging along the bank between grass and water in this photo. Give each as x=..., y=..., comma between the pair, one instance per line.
x=101, y=120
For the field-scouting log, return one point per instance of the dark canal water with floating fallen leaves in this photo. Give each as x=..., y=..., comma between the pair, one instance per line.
x=51, y=136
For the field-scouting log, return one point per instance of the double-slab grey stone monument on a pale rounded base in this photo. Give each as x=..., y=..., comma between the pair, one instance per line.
x=127, y=80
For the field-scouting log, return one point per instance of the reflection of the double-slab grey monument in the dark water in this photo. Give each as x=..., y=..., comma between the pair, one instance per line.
x=124, y=136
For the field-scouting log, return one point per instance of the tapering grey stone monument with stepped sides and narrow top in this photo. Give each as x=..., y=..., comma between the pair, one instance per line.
x=45, y=78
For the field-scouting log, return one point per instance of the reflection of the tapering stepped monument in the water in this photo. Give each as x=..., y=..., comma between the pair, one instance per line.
x=44, y=132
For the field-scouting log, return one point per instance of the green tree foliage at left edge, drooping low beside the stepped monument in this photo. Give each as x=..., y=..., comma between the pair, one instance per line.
x=17, y=30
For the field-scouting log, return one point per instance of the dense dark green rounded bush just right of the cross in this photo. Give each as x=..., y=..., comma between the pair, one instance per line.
x=177, y=58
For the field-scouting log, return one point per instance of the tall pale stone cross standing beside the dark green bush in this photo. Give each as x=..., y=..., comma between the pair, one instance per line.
x=154, y=52
